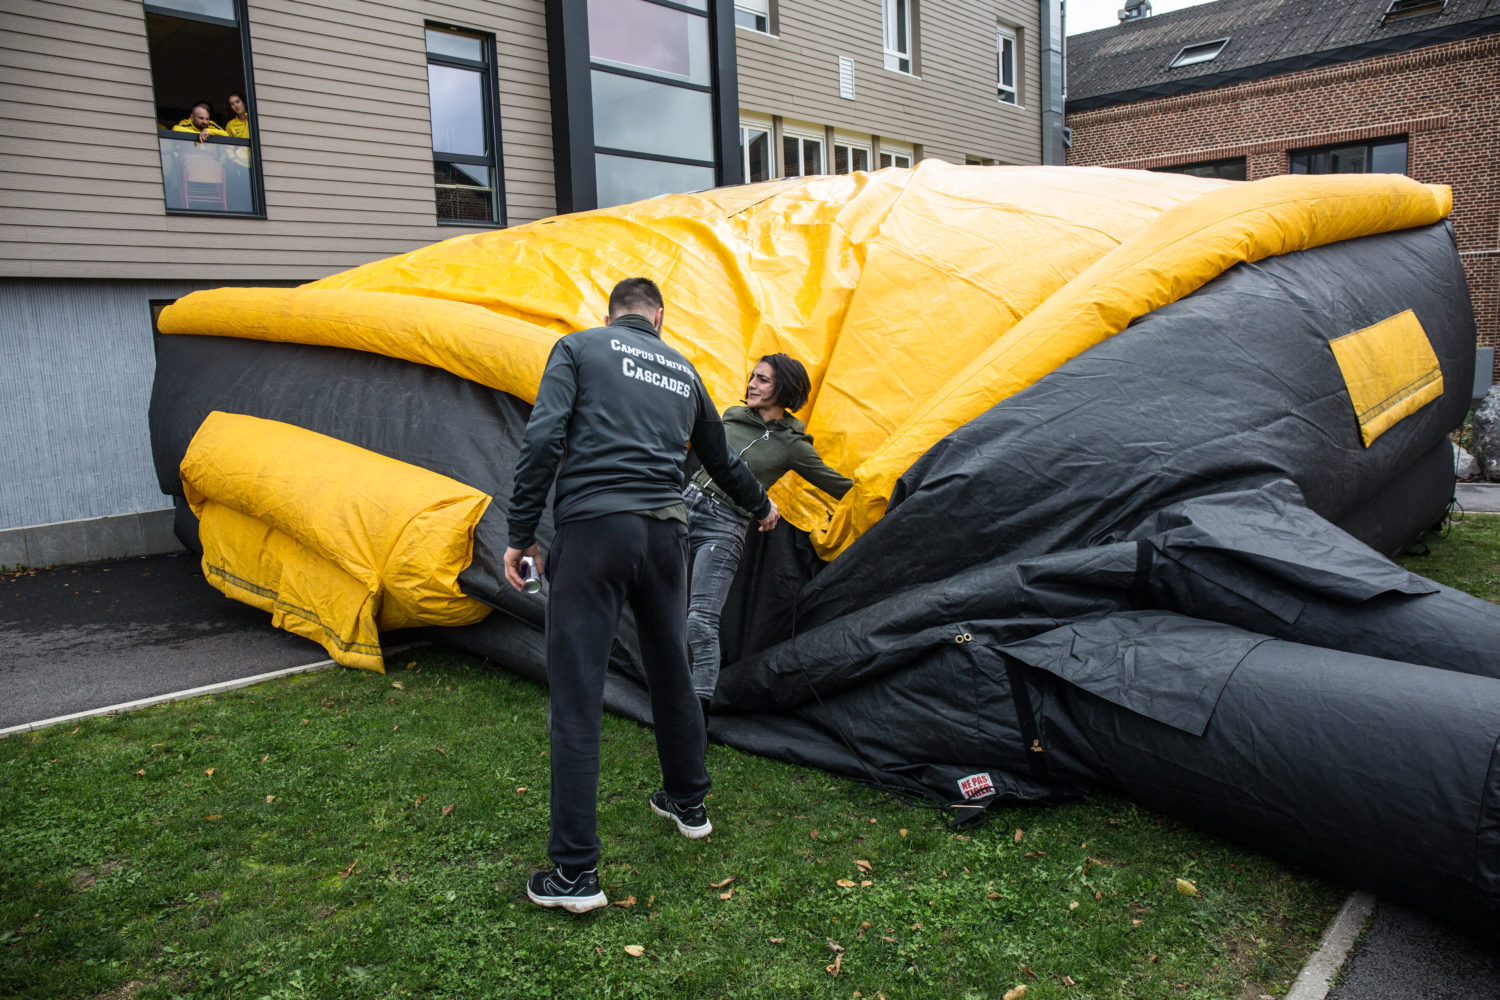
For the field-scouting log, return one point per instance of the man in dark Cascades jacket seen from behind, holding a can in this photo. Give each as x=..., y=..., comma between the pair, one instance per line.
x=616, y=410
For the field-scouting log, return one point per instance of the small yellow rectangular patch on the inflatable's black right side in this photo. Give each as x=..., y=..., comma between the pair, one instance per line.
x=1391, y=373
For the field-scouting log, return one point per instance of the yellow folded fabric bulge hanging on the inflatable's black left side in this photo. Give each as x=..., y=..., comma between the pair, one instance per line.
x=334, y=540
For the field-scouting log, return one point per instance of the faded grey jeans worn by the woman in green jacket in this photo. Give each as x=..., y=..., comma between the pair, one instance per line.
x=718, y=536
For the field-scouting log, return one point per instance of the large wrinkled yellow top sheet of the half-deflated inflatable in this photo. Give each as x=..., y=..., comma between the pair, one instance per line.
x=917, y=298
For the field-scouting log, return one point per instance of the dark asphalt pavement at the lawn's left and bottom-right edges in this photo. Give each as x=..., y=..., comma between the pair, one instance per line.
x=115, y=635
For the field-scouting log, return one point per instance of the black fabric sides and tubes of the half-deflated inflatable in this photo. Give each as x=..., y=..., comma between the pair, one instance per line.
x=1132, y=575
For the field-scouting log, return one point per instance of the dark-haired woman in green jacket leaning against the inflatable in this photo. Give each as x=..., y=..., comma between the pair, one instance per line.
x=772, y=443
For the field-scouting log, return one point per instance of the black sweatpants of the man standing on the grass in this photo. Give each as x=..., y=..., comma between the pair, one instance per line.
x=596, y=567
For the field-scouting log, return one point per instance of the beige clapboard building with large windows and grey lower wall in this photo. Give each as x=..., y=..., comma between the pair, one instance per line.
x=376, y=128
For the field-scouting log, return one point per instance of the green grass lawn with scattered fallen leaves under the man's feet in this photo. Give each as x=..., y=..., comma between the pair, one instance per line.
x=344, y=834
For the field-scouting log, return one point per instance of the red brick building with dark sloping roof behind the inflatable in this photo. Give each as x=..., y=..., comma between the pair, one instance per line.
x=1249, y=89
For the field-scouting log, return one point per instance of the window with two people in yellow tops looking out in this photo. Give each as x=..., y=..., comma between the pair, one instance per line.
x=205, y=100
